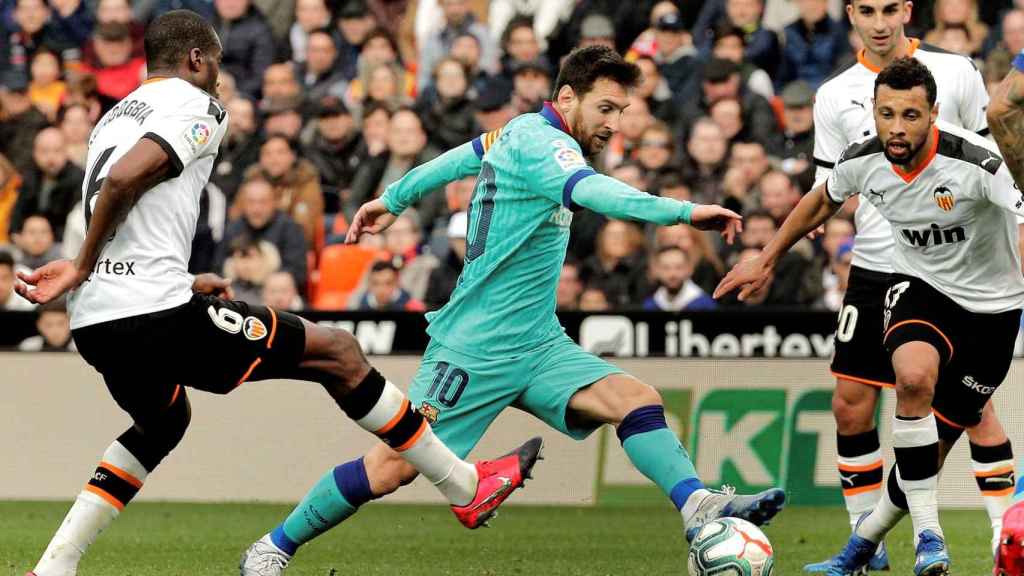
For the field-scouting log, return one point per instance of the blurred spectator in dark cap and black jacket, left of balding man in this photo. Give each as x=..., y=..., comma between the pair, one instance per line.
x=334, y=149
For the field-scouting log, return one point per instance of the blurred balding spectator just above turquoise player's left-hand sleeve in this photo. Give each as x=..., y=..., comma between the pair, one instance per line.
x=407, y=149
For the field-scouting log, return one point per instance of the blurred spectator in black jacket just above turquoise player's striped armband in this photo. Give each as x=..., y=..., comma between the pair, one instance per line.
x=448, y=116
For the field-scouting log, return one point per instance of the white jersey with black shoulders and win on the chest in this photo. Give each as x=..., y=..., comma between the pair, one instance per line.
x=954, y=220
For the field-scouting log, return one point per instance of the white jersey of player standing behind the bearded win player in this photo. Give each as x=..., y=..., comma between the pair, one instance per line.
x=843, y=115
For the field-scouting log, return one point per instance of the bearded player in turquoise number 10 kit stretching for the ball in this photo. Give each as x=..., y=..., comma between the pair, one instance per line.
x=498, y=342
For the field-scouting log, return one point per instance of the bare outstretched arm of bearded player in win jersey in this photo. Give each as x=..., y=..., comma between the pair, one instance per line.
x=813, y=212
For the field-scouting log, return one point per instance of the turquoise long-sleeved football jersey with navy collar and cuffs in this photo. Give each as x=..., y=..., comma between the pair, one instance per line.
x=531, y=176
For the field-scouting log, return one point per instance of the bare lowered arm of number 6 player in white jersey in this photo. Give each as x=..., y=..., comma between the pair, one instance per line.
x=143, y=168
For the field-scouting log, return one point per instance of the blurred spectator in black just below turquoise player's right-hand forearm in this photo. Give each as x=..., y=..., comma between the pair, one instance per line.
x=619, y=267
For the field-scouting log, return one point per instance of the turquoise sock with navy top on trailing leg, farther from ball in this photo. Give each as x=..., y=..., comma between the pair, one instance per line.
x=336, y=498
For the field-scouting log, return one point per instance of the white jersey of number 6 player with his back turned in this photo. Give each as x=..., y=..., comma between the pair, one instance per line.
x=145, y=267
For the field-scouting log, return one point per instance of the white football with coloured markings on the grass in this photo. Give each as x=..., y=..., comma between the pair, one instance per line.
x=731, y=547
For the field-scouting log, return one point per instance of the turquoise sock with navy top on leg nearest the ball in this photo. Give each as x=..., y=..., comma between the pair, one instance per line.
x=656, y=451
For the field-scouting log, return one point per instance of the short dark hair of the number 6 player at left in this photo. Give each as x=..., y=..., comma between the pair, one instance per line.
x=173, y=35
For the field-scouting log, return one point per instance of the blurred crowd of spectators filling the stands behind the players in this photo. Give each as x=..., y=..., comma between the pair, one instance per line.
x=331, y=102
